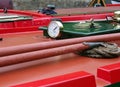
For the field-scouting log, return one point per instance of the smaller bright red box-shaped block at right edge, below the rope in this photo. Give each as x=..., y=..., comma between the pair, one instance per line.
x=110, y=73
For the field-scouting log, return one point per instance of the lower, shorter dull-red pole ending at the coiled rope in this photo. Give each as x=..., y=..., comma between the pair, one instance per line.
x=35, y=55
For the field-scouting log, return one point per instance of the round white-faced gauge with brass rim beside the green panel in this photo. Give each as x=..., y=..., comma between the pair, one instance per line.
x=54, y=29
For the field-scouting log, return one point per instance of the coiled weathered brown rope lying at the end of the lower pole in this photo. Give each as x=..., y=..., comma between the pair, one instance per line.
x=106, y=50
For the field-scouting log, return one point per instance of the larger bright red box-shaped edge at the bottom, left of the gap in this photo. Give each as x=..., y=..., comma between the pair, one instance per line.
x=76, y=79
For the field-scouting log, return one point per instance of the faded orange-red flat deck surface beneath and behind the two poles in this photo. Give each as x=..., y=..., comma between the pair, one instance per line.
x=50, y=67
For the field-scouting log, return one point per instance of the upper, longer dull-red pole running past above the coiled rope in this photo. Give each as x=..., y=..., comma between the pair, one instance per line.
x=51, y=44
